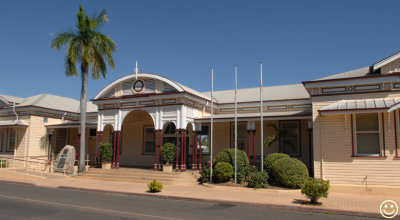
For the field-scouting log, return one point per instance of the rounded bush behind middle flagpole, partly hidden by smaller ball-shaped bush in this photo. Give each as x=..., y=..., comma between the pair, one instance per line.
x=228, y=155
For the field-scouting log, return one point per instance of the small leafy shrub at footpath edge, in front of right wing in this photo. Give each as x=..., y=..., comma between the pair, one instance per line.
x=315, y=189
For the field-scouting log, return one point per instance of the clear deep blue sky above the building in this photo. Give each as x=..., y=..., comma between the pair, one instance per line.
x=296, y=40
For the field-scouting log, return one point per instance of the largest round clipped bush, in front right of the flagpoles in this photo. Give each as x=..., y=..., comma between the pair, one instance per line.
x=289, y=172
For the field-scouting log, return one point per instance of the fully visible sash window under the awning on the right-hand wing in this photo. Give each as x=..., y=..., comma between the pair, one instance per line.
x=367, y=132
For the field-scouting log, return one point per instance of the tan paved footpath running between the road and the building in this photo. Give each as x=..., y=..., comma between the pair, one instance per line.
x=348, y=200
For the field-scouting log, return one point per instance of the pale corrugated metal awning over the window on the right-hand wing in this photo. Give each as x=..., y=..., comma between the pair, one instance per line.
x=361, y=106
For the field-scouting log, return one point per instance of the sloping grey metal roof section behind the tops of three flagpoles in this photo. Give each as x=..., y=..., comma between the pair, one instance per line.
x=284, y=92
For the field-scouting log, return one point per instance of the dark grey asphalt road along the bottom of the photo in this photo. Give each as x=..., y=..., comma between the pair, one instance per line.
x=21, y=201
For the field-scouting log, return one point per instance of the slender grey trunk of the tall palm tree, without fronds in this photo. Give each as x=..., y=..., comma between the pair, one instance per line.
x=84, y=69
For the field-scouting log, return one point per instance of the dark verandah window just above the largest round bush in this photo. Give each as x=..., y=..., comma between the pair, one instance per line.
x=289, y=140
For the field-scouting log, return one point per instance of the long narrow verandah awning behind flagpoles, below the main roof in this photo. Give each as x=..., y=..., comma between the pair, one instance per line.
x=277, y=115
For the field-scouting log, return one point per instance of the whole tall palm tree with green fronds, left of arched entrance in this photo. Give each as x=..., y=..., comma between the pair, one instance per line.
x=91, y=49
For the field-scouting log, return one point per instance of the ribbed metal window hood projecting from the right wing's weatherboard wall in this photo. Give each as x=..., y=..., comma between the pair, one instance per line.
x=362, y=104
